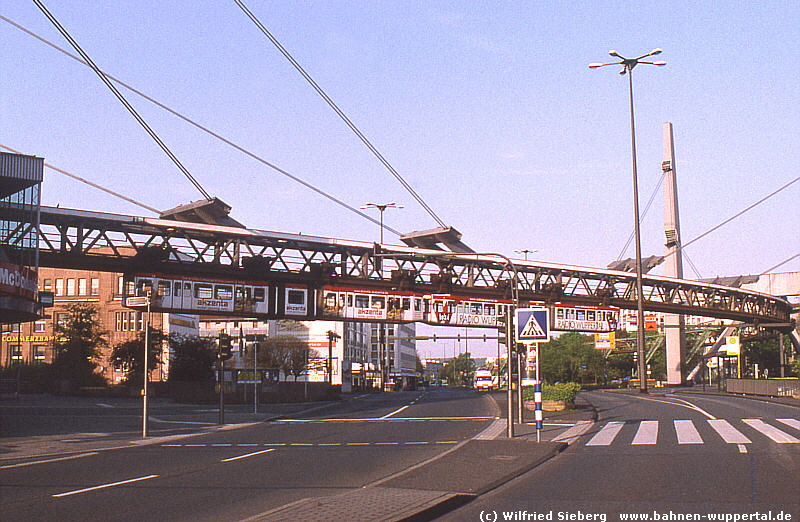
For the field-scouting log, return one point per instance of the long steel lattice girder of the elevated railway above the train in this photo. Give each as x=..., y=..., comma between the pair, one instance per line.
x=121, y=243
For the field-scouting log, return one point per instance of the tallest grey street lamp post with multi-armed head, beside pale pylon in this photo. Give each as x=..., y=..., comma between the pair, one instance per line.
x=627, y=67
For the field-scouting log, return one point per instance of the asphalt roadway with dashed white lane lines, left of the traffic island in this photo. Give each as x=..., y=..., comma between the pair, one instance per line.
x=233, y=474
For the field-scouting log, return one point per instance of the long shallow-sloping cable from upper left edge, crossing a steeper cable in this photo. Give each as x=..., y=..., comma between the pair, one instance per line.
x=209, y=131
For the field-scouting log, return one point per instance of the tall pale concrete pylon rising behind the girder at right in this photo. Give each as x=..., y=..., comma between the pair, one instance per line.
x=673, y=263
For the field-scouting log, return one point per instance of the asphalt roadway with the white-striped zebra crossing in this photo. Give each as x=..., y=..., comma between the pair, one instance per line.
x=662, y=455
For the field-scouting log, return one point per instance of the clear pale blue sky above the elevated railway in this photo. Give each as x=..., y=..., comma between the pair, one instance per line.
x=488, y=110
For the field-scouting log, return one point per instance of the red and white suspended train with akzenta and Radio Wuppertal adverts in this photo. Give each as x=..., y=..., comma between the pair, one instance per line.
x=279, y=300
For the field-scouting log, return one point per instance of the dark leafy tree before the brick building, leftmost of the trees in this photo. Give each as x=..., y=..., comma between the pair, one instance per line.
x=79, y=340
